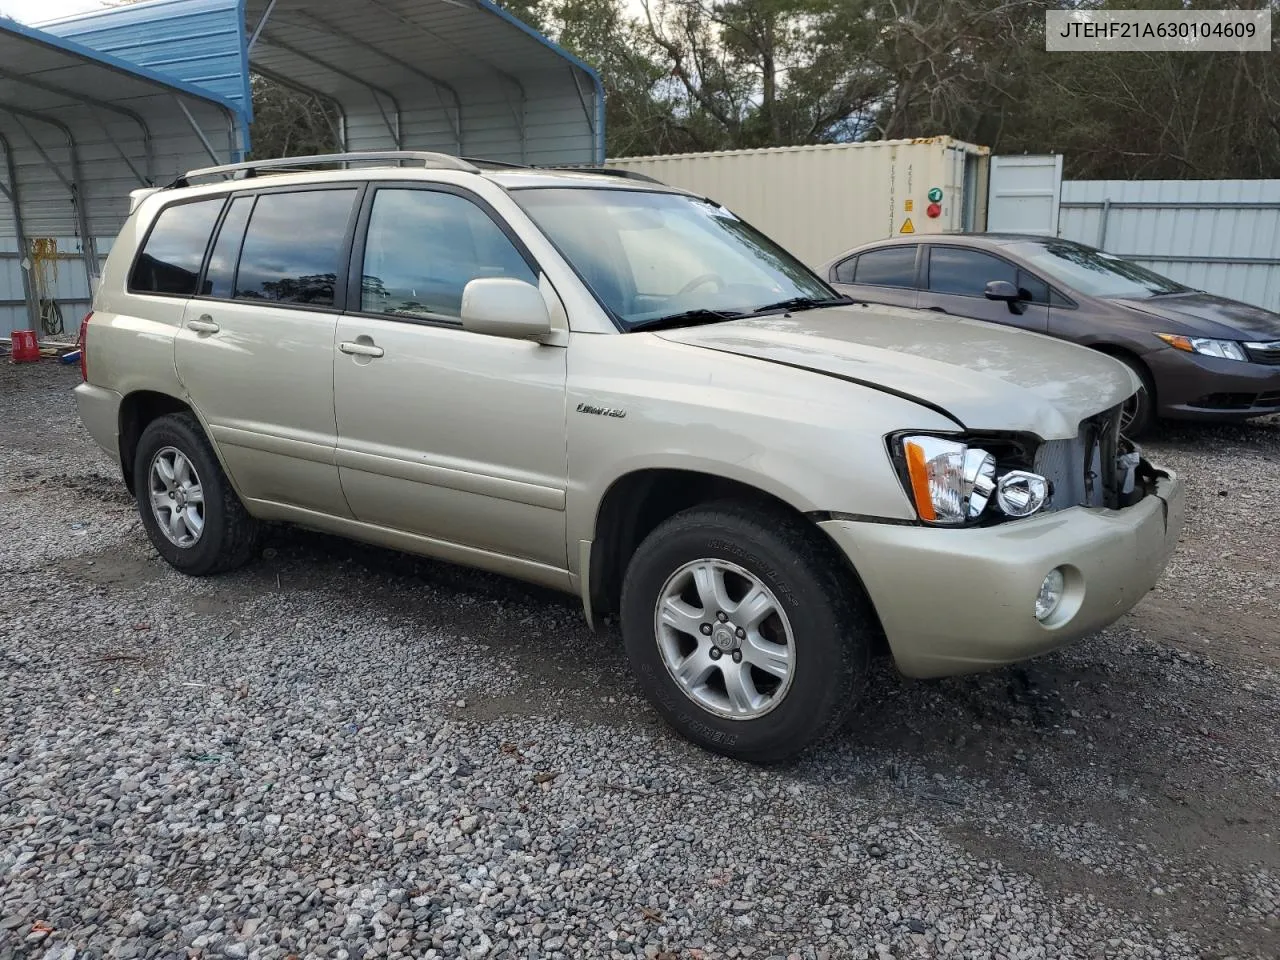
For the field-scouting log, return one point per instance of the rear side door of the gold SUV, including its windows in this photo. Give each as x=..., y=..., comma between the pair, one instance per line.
x=255, y=351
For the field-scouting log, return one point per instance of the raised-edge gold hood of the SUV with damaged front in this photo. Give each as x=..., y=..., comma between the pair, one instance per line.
x=980, y=374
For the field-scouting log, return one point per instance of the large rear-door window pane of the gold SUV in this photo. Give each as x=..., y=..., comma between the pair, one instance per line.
x=294, y=248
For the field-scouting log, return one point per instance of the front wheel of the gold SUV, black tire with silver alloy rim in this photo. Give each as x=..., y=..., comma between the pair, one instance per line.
x=746, y=630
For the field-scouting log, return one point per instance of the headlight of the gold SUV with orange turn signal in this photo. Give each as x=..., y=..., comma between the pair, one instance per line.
x=954, y=484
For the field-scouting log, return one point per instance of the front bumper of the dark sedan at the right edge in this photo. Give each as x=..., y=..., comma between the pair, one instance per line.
x=1191, y=387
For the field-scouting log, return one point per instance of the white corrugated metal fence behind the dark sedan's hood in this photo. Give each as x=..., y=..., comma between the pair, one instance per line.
x=1218, y=236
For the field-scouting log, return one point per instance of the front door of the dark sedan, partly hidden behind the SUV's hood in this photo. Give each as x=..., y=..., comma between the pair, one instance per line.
x=957, y=278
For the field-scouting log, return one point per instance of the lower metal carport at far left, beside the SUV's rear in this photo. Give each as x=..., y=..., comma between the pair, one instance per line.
x=79, y=131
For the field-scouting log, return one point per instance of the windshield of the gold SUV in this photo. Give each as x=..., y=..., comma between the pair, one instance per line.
x=653, y=257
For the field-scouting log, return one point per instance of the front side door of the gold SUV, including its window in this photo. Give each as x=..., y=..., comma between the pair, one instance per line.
x=445, y=433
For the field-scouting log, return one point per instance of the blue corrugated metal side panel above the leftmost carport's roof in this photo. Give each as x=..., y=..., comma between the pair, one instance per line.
x=195, y=43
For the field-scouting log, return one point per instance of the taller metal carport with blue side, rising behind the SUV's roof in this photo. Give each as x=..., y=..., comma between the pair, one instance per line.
x=456, y=76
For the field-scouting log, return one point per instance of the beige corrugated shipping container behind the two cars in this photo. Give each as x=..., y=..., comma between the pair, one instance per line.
x=819, y=202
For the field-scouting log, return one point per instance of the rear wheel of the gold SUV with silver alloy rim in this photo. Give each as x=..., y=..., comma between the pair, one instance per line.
x=186, y=502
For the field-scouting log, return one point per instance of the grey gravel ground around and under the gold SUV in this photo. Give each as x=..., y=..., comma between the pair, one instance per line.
x=350, y=753
